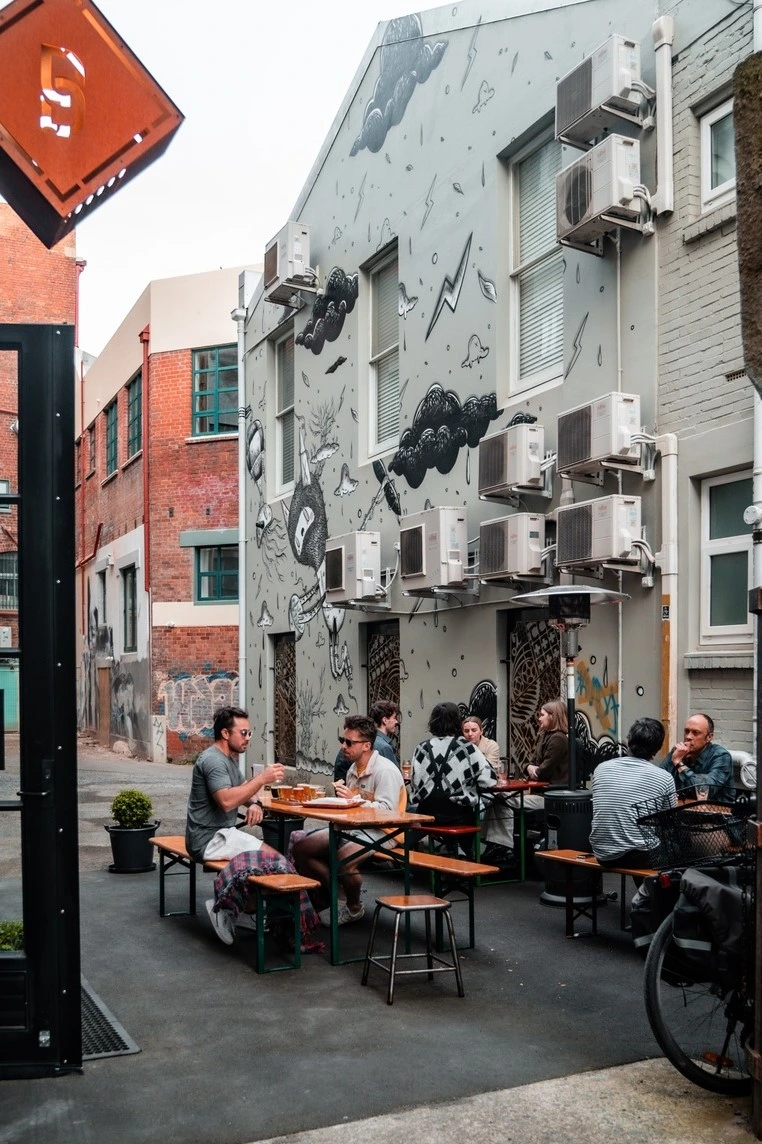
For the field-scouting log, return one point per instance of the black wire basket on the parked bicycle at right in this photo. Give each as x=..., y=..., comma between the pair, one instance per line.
x=689, y=836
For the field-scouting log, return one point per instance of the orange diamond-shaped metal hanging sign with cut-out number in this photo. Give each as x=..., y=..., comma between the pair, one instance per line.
x=80, y=114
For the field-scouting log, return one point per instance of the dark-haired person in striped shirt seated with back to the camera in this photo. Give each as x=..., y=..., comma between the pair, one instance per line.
x=618, y=785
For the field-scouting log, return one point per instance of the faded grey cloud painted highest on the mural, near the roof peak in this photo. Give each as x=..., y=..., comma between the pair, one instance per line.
x=406, y=60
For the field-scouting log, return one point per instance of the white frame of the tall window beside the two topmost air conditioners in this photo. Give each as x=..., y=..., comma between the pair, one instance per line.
x=554, y=250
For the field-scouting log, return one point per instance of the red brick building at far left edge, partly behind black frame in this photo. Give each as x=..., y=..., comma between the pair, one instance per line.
x=37, y=285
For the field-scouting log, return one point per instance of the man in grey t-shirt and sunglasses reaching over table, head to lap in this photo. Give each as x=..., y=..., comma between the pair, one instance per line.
x=218, y=792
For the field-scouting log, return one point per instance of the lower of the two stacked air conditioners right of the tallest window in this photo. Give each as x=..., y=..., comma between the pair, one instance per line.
x=597, y=193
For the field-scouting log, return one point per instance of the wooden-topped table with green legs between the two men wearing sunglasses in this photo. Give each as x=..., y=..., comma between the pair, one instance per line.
x=340, y=822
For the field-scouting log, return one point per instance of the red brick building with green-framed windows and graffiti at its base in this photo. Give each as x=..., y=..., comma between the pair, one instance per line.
x=157, y=544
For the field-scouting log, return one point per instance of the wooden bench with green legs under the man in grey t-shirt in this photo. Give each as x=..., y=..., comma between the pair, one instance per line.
x=284, y=888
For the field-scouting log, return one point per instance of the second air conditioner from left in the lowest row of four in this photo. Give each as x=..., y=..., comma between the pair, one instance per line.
x=434, y=549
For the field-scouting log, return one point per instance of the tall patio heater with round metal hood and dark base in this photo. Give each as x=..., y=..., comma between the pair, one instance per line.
x=569, y=814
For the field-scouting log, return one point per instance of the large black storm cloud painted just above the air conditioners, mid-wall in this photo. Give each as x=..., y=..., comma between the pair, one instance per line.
x=441, y=428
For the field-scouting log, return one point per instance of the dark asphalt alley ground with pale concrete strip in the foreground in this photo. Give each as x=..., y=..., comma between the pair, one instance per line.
x=231, y=1058
